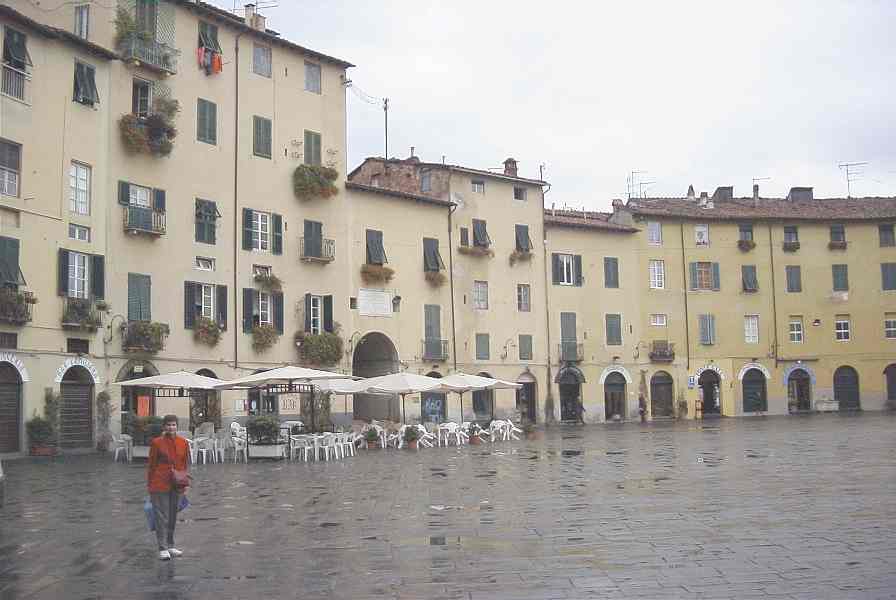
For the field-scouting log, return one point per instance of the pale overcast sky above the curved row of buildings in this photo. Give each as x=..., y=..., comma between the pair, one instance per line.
x=709, y=94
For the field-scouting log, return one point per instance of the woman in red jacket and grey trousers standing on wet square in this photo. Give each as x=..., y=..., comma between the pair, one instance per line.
x=166, y=478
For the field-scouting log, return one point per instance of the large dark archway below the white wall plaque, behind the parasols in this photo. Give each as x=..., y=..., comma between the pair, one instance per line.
x=375, y=355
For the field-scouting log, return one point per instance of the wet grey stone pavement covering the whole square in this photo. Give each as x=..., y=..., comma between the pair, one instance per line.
x=750, y=508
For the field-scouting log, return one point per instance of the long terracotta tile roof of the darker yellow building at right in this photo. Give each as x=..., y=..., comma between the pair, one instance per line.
x=819, y=209
